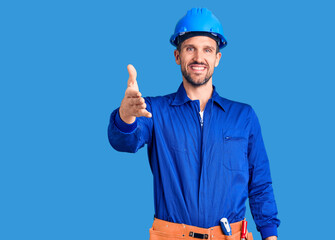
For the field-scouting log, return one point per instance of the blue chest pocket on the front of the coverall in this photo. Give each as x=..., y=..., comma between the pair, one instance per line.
x=235, y=149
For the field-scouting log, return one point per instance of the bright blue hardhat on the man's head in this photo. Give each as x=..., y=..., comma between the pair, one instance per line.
x=199, y=20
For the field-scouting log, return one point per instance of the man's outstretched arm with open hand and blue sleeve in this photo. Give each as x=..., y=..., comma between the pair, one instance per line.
x=130, y=126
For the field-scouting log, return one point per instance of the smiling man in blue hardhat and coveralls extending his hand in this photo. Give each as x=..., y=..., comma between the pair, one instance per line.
x=206, y=152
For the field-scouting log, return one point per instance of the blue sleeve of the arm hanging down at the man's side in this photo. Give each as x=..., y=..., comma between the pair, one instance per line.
x=261, y=198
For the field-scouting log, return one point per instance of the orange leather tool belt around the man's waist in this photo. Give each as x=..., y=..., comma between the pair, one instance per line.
x=164, y=230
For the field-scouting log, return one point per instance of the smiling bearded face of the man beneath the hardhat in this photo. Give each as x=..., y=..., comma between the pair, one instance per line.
x=197, y=59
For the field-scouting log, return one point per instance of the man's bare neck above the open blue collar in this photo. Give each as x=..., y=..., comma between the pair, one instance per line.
x=202, y=93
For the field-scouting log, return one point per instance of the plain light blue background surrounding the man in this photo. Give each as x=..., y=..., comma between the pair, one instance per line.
x=63, y=71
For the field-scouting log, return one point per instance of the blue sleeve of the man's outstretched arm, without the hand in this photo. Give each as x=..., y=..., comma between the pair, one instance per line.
x=125, y=137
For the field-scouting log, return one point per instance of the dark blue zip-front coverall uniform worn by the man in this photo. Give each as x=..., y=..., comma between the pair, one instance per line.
x=202, y=174
